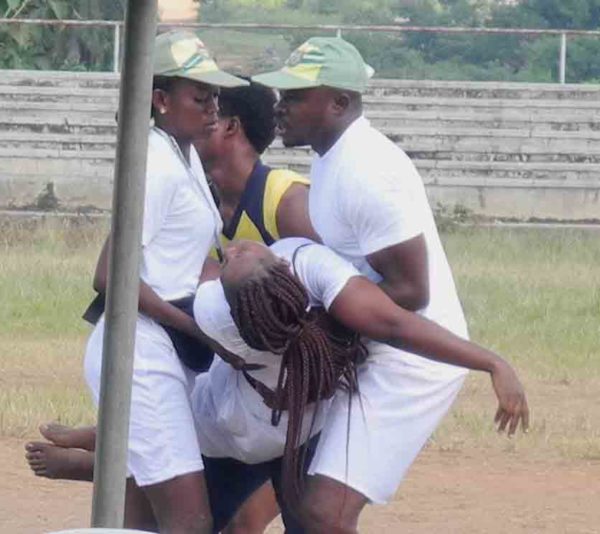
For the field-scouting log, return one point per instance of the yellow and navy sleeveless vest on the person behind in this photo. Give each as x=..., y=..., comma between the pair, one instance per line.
x=255, y=217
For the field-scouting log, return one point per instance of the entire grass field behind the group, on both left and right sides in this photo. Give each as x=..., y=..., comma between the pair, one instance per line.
x=531, y=295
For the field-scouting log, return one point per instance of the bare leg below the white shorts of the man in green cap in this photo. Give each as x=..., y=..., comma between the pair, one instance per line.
x=330, y=507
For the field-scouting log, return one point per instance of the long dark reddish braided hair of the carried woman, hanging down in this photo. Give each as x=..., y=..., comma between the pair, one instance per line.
x=318, y=355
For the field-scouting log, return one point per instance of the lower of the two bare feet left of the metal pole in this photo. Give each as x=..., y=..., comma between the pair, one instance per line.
x=48, y=460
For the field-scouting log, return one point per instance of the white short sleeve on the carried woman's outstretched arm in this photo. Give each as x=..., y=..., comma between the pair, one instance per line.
x=323, y=273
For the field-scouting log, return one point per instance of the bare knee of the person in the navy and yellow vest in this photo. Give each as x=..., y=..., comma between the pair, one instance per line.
x=256, y=513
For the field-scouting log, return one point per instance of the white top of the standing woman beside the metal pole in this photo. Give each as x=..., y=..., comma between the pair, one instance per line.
x=180, y=219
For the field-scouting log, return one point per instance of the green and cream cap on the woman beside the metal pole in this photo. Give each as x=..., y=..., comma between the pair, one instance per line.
x=183, y=54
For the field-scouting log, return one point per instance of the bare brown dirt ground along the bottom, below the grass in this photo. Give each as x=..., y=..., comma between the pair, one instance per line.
x=476, y=492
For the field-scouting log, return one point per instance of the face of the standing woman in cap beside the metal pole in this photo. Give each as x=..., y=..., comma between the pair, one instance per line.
x=188, y=110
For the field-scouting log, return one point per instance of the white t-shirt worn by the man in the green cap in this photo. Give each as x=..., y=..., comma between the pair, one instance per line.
x=366, y=195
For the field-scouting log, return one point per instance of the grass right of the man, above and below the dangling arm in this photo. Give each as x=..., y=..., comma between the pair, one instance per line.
x=534, y=297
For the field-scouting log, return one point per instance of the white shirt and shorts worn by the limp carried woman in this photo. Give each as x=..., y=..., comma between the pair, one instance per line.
x=232, y=419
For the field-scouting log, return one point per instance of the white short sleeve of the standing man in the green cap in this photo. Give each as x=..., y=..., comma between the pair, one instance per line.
x=384, y=208
